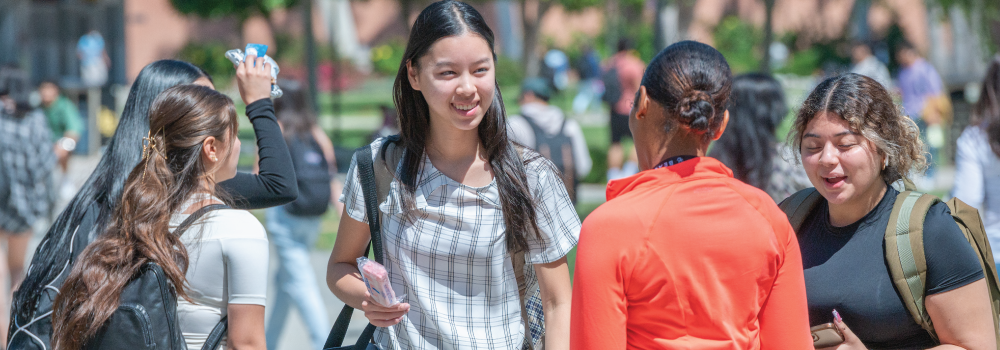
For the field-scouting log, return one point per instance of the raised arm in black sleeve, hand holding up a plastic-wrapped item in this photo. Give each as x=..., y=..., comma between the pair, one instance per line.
x=275, y=184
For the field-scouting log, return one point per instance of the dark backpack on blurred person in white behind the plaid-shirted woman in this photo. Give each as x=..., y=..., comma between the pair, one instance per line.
x=558, y=148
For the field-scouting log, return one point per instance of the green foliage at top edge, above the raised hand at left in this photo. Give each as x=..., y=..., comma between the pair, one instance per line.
x=242, y=9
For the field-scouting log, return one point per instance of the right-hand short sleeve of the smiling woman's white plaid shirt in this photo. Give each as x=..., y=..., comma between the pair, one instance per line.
x=556, y=215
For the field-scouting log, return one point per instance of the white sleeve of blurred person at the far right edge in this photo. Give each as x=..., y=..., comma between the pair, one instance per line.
x=969, y=177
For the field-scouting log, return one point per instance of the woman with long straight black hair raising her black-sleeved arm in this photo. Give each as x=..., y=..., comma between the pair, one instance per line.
x=91, y=210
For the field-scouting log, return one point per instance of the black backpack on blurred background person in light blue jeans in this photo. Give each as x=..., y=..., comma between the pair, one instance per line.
x=312, y=174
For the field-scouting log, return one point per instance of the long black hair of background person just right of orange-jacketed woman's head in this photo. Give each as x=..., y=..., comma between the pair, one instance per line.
x=756, y=107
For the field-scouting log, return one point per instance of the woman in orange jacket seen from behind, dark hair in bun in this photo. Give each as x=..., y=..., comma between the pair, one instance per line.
x=684, y=256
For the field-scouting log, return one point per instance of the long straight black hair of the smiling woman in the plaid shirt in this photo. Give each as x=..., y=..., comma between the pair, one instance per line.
x=451, y=18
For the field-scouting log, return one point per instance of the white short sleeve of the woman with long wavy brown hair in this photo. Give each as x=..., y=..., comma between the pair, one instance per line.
x=246, y=259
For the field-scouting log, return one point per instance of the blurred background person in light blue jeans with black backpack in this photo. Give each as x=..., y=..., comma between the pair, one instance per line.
x=293, y=227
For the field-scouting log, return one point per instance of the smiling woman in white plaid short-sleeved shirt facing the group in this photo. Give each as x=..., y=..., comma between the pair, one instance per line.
x=464, y=196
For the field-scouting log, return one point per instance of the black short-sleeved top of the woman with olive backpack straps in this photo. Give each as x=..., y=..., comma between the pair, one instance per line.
x=845, y=269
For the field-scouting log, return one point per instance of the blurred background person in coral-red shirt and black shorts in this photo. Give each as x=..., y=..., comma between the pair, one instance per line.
x=622, y=74
